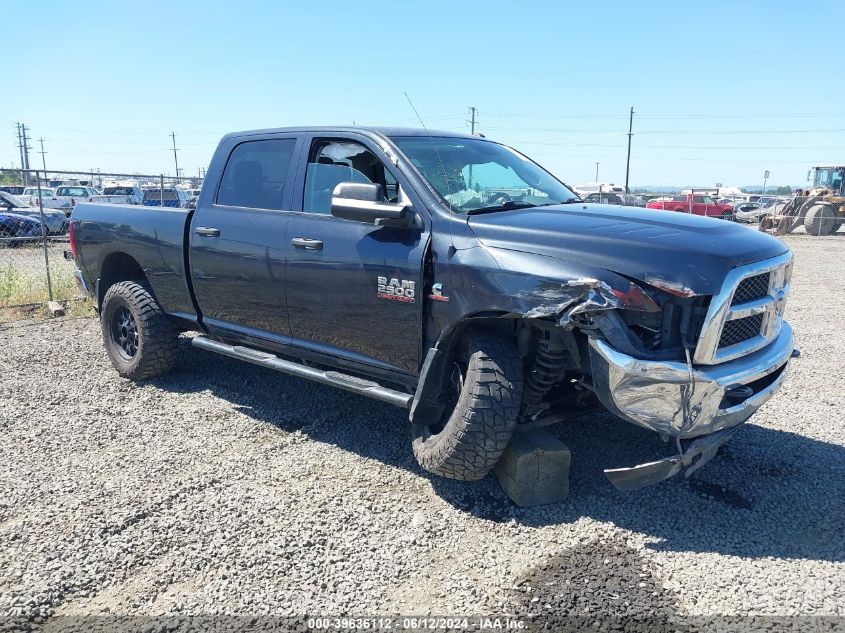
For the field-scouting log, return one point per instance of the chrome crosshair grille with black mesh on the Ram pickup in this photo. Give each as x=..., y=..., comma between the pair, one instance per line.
x=747, y=313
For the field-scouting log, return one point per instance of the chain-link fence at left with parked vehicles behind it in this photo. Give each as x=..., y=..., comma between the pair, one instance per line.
x=35, y=212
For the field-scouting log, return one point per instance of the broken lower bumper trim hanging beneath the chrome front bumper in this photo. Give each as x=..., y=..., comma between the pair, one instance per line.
x=698, y=453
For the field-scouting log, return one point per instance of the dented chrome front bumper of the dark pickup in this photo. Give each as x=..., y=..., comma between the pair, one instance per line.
x=661, y=397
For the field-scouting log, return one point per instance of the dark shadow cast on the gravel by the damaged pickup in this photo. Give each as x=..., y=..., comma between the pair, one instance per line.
x=768, y=493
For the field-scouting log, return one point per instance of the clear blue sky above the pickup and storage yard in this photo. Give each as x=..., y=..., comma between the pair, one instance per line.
x=722, y=90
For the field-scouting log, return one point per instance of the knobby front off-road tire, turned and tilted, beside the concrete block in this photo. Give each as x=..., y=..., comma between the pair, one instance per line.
x=480, y=426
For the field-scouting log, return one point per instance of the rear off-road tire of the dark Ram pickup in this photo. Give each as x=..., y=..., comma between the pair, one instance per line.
x=156, y=335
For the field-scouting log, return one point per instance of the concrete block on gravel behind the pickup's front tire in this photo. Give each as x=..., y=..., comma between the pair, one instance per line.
x=534, y=469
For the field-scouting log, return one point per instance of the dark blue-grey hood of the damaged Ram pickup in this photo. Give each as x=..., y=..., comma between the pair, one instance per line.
x=689, y=251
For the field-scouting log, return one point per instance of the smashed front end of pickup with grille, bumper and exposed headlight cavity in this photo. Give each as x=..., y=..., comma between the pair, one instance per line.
x=689, y=367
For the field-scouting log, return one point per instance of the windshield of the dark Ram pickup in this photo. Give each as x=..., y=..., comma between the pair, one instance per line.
x=475, y=175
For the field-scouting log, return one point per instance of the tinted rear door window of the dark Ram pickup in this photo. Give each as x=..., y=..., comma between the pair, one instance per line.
x=255, y=174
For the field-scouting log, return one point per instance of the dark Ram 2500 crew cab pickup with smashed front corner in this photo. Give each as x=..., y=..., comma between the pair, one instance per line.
x=450, y=275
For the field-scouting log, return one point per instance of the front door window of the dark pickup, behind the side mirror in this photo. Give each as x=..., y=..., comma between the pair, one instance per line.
x=332, y=162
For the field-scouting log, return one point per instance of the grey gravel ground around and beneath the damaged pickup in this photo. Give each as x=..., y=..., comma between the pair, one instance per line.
x=228, y=489
